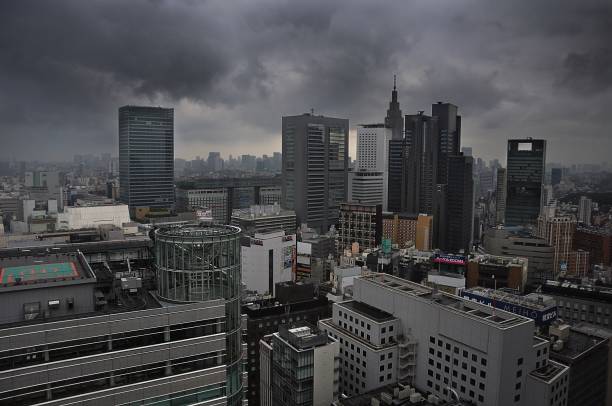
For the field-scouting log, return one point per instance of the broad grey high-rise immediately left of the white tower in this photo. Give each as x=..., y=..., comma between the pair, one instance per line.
x=315, y=168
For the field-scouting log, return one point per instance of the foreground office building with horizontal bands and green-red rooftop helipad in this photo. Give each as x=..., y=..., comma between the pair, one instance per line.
x=70, y=335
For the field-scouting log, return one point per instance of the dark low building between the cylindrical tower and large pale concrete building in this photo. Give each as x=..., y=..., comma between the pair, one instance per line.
x=294, y=303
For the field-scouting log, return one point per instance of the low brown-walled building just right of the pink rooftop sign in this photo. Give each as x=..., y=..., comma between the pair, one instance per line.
x=492, y=271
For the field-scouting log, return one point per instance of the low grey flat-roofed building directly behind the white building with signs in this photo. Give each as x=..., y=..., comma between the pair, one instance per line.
x=264, y=218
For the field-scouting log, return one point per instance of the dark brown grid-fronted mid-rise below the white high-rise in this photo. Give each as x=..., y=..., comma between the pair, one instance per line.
x=361, y=224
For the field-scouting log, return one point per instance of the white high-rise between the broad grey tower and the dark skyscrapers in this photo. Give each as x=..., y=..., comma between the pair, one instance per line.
x=370, y=177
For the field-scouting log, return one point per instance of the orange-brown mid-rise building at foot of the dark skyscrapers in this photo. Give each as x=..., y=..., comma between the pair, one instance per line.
x=407, y=229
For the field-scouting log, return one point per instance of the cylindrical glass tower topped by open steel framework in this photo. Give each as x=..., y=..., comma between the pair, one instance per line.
x=199, y=263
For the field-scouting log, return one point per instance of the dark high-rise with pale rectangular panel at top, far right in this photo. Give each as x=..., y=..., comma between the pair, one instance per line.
x=525, y=179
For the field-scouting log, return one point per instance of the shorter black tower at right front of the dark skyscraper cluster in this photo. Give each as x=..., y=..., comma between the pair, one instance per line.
x=460, y=204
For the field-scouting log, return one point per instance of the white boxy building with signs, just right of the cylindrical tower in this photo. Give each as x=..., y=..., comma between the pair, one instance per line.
x=267, y=258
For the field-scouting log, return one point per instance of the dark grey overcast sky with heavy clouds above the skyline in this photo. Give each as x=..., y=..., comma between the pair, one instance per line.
x=231, y=69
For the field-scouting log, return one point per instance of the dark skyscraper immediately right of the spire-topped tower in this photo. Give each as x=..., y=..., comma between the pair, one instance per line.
x=420, y=174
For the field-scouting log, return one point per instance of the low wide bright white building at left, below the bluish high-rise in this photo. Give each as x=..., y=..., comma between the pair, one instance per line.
x=75, y=218
